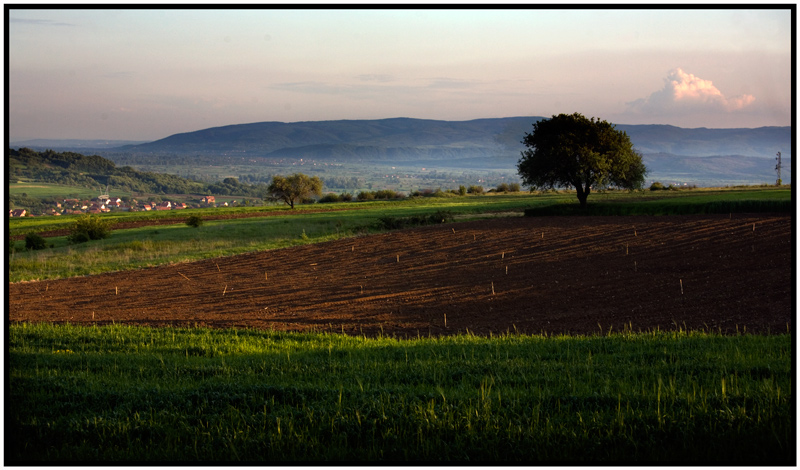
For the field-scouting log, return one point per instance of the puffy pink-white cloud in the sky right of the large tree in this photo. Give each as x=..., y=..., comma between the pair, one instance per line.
x=685, y=92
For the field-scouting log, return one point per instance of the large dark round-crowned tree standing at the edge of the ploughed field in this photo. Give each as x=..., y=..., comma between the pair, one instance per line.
x=571, y=150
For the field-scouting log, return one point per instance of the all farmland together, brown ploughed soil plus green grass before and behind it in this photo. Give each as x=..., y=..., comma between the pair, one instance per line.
x=529, y=339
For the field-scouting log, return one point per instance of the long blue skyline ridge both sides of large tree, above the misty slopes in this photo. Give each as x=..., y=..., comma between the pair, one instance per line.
x=406, y=139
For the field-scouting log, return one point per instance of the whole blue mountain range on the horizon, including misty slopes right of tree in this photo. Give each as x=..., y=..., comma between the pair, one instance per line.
x=739, y=155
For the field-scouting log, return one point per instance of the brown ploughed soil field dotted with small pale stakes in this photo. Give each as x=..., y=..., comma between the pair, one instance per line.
x=574, y=275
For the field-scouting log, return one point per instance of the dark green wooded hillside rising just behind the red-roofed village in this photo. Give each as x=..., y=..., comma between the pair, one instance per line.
x=74, y=169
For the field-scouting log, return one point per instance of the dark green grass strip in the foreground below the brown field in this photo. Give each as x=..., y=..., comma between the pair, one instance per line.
x=134, y=394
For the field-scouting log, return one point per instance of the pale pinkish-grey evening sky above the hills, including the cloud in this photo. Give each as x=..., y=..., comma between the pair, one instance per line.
x=144, y=74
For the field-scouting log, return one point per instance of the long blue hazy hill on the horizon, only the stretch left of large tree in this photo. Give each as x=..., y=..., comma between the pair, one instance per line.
x=399, y=139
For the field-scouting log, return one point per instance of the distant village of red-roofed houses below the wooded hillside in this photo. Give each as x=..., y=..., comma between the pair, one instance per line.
x=104, y=203
